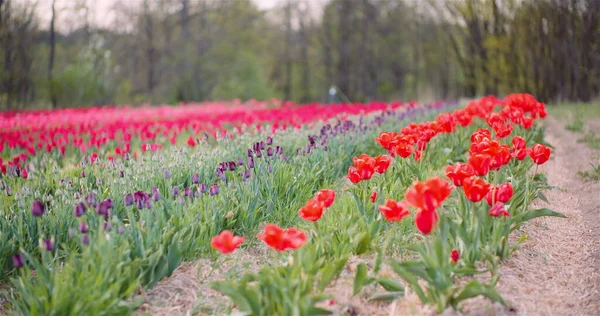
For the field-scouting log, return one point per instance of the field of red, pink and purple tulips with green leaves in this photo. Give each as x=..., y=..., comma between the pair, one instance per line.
x=99, y=205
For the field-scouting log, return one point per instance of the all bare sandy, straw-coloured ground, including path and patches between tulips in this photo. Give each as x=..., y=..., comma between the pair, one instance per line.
x=556, y=271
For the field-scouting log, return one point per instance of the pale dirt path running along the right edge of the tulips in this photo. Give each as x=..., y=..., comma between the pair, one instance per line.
x=557, y=271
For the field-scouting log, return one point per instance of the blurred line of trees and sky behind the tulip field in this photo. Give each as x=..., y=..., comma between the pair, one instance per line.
x=66, y=53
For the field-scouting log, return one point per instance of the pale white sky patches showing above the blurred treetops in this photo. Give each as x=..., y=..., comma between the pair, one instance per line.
x=101, y=11
